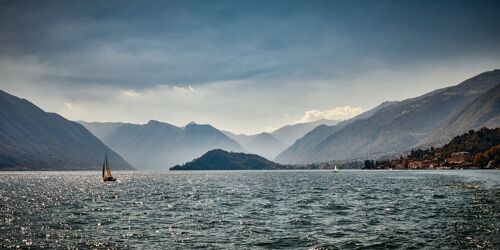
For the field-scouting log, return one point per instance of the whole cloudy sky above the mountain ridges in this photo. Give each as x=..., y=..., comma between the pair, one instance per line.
x=242, y=66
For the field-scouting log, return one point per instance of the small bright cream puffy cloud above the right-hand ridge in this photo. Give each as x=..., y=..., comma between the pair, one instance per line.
x=338, y=113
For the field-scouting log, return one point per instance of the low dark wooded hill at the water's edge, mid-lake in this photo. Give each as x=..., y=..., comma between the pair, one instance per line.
x=222, y=160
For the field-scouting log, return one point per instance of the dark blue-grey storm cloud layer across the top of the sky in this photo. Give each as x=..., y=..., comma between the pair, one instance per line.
x=143, y=43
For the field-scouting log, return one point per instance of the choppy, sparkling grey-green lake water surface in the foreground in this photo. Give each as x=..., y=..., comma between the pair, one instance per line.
x=287, y=209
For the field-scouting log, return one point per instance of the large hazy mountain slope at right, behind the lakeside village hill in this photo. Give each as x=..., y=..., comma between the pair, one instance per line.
x=396, y=127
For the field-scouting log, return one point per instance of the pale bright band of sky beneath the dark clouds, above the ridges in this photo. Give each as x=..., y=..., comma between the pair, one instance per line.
x=241, y=106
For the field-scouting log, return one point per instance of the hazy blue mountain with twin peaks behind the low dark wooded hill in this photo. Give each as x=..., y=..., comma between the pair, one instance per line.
x=158, y=145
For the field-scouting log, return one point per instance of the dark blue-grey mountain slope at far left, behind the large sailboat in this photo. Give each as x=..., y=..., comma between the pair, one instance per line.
x=32, y=139
